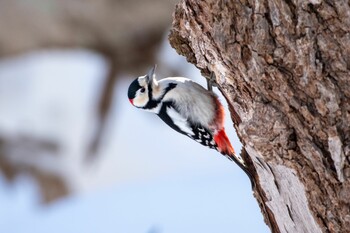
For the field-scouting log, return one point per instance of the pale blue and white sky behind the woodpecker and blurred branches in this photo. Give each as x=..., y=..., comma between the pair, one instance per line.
x=148, y=178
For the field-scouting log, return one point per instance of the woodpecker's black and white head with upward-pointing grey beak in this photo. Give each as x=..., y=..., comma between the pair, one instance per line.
x=140, y=91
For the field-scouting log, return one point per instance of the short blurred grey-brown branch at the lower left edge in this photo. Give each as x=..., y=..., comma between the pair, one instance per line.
x=22, y=155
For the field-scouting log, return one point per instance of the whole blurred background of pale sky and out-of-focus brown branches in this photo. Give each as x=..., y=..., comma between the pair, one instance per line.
x=75, y=156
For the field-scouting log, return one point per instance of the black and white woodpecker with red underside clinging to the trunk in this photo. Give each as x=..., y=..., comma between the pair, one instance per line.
x=186, y=107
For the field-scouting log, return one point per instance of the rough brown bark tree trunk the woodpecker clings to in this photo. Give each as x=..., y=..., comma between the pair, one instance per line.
x=284, y=67
